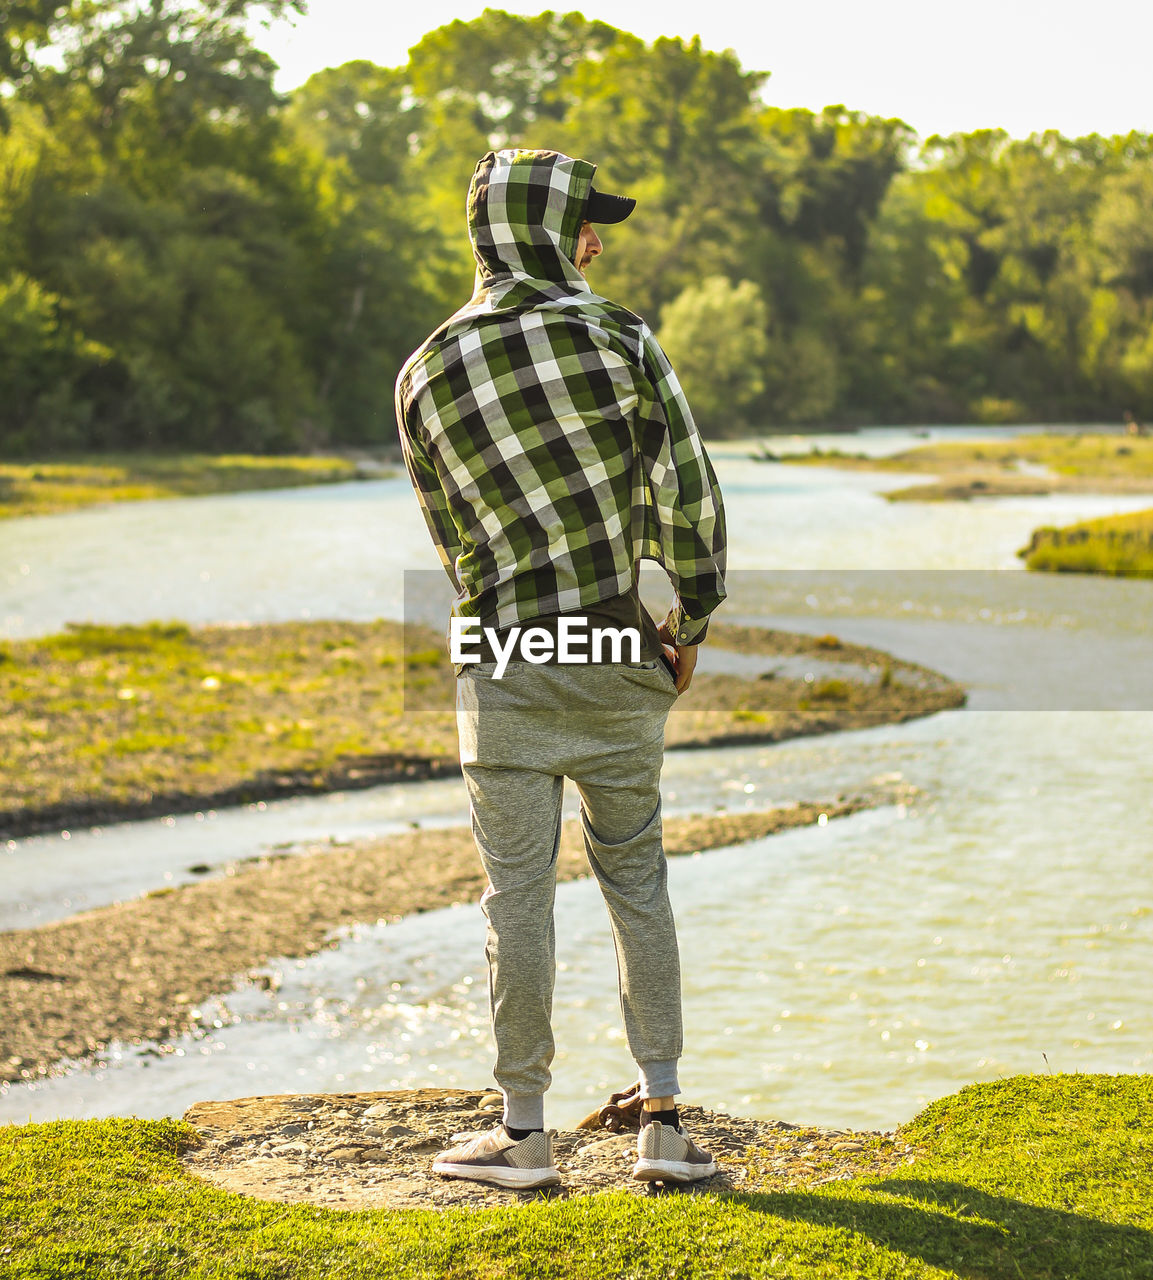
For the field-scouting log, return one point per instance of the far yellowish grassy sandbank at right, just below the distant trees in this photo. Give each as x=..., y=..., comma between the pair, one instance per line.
x=1026, y=465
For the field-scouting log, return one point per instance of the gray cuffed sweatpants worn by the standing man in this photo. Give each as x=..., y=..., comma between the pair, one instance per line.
x=602, y=726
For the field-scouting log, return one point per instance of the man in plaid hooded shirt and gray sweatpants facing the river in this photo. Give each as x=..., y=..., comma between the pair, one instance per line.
x=552, y=450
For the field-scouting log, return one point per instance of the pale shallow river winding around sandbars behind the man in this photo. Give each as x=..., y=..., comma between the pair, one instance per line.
x=841, y=975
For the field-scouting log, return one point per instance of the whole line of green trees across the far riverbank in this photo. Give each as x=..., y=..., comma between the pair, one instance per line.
x=190, y=259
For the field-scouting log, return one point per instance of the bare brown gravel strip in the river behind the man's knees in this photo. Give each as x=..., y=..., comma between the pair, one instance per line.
x=140, y=970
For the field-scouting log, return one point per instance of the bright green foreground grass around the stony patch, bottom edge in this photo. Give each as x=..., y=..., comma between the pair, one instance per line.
x=1032, y=1178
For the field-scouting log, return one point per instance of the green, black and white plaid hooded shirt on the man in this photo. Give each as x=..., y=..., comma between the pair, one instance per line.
x=545, y=431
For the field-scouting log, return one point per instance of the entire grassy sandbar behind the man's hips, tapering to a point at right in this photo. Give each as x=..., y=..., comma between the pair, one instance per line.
x=106, y=725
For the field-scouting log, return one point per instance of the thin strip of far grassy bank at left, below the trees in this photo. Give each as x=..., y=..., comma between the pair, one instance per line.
x=42, y=488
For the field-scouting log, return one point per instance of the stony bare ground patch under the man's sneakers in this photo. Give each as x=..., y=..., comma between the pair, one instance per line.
x=358, y=1151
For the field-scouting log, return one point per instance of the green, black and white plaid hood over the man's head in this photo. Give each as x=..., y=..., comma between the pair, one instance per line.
x=525, y=213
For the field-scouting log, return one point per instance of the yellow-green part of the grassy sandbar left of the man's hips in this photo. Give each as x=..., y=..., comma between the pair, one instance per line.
x=106, y=723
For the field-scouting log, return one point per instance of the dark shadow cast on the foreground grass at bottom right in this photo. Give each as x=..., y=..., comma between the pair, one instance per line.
x=976, y=1235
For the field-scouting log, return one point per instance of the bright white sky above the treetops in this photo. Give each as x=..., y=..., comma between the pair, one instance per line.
x=942, y=67
